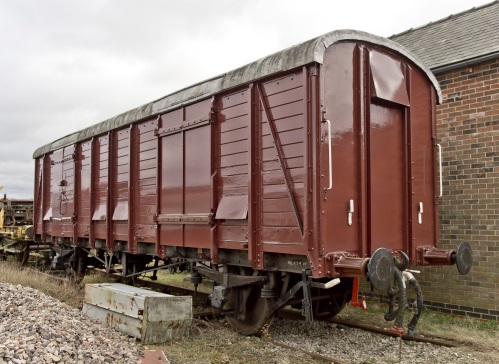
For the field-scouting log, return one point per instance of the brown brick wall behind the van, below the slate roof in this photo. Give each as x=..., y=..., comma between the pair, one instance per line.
x=468, y=130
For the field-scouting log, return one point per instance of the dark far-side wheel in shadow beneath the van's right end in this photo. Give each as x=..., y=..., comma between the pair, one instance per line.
x=337, y=297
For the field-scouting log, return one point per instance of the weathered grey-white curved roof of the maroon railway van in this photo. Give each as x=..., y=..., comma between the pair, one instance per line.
x=287, y=59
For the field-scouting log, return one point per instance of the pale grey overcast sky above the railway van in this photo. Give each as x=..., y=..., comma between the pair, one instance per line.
x=65, y=65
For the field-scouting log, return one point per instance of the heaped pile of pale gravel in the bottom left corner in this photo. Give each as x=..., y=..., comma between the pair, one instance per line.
x=35, y=328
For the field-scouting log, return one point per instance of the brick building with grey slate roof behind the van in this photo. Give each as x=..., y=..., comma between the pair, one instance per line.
x=463, y=52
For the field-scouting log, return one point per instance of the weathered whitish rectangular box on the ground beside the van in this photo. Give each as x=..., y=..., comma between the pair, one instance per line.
x=150, y=316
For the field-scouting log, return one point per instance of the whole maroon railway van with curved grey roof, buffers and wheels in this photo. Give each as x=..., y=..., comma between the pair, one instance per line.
x=283, y=181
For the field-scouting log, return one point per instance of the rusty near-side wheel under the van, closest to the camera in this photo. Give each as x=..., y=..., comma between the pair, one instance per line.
x=252, y=318
